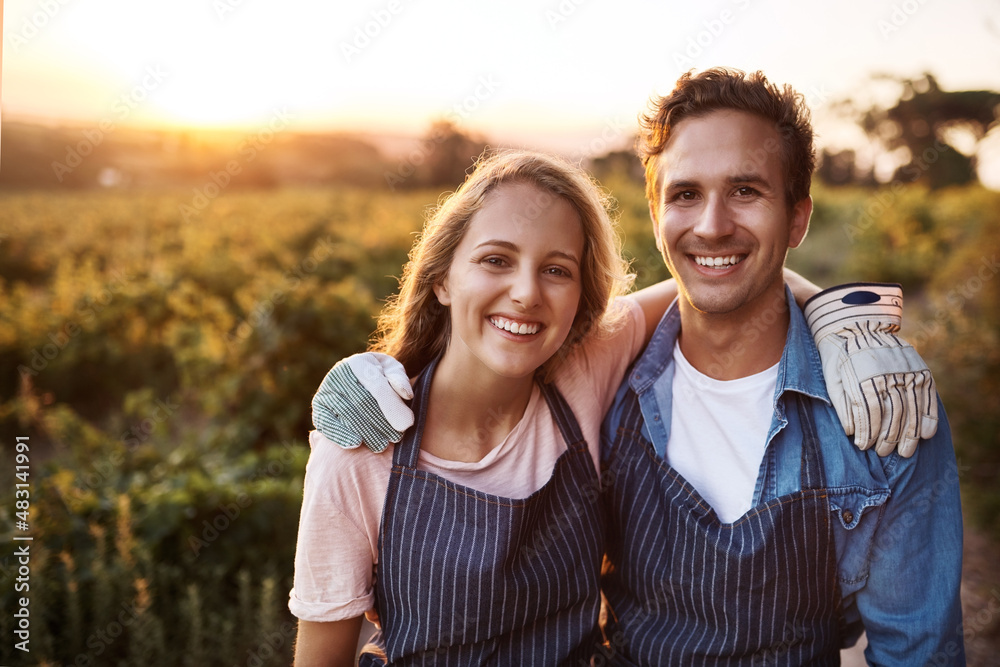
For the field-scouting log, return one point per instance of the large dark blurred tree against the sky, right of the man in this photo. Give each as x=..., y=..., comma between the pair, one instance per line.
x=926, y=121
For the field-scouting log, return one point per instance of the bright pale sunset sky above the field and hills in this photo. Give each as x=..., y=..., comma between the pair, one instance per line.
x=556, y=74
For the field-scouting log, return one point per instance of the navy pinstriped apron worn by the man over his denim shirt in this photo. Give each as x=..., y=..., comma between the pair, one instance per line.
x=686, y=589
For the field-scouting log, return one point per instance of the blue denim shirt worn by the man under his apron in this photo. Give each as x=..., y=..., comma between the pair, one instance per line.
x=897, y=521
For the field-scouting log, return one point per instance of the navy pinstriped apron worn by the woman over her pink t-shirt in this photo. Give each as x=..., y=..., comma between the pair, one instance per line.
x=470, y=578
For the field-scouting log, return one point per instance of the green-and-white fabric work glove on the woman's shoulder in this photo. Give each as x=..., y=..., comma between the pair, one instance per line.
x=361, y=400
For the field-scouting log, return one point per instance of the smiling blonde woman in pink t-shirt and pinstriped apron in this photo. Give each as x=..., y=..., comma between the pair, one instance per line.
x=484, y=524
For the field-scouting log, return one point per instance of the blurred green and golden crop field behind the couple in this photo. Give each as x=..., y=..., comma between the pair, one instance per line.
x=161, y=364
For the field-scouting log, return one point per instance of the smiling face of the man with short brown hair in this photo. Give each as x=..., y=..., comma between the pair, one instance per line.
x=722, y=222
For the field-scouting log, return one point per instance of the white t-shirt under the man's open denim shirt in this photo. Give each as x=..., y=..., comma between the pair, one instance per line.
x=720, y=457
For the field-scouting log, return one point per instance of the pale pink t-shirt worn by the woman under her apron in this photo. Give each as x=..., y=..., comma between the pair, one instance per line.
x=345, y=488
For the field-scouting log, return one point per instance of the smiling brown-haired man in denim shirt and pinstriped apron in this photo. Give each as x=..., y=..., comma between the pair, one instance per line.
x=742, y=528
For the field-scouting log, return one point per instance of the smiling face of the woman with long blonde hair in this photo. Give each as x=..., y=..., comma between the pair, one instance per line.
x=514, y=284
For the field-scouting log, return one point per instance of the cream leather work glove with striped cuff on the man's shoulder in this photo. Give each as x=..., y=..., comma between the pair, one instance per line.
x=883, y=391
